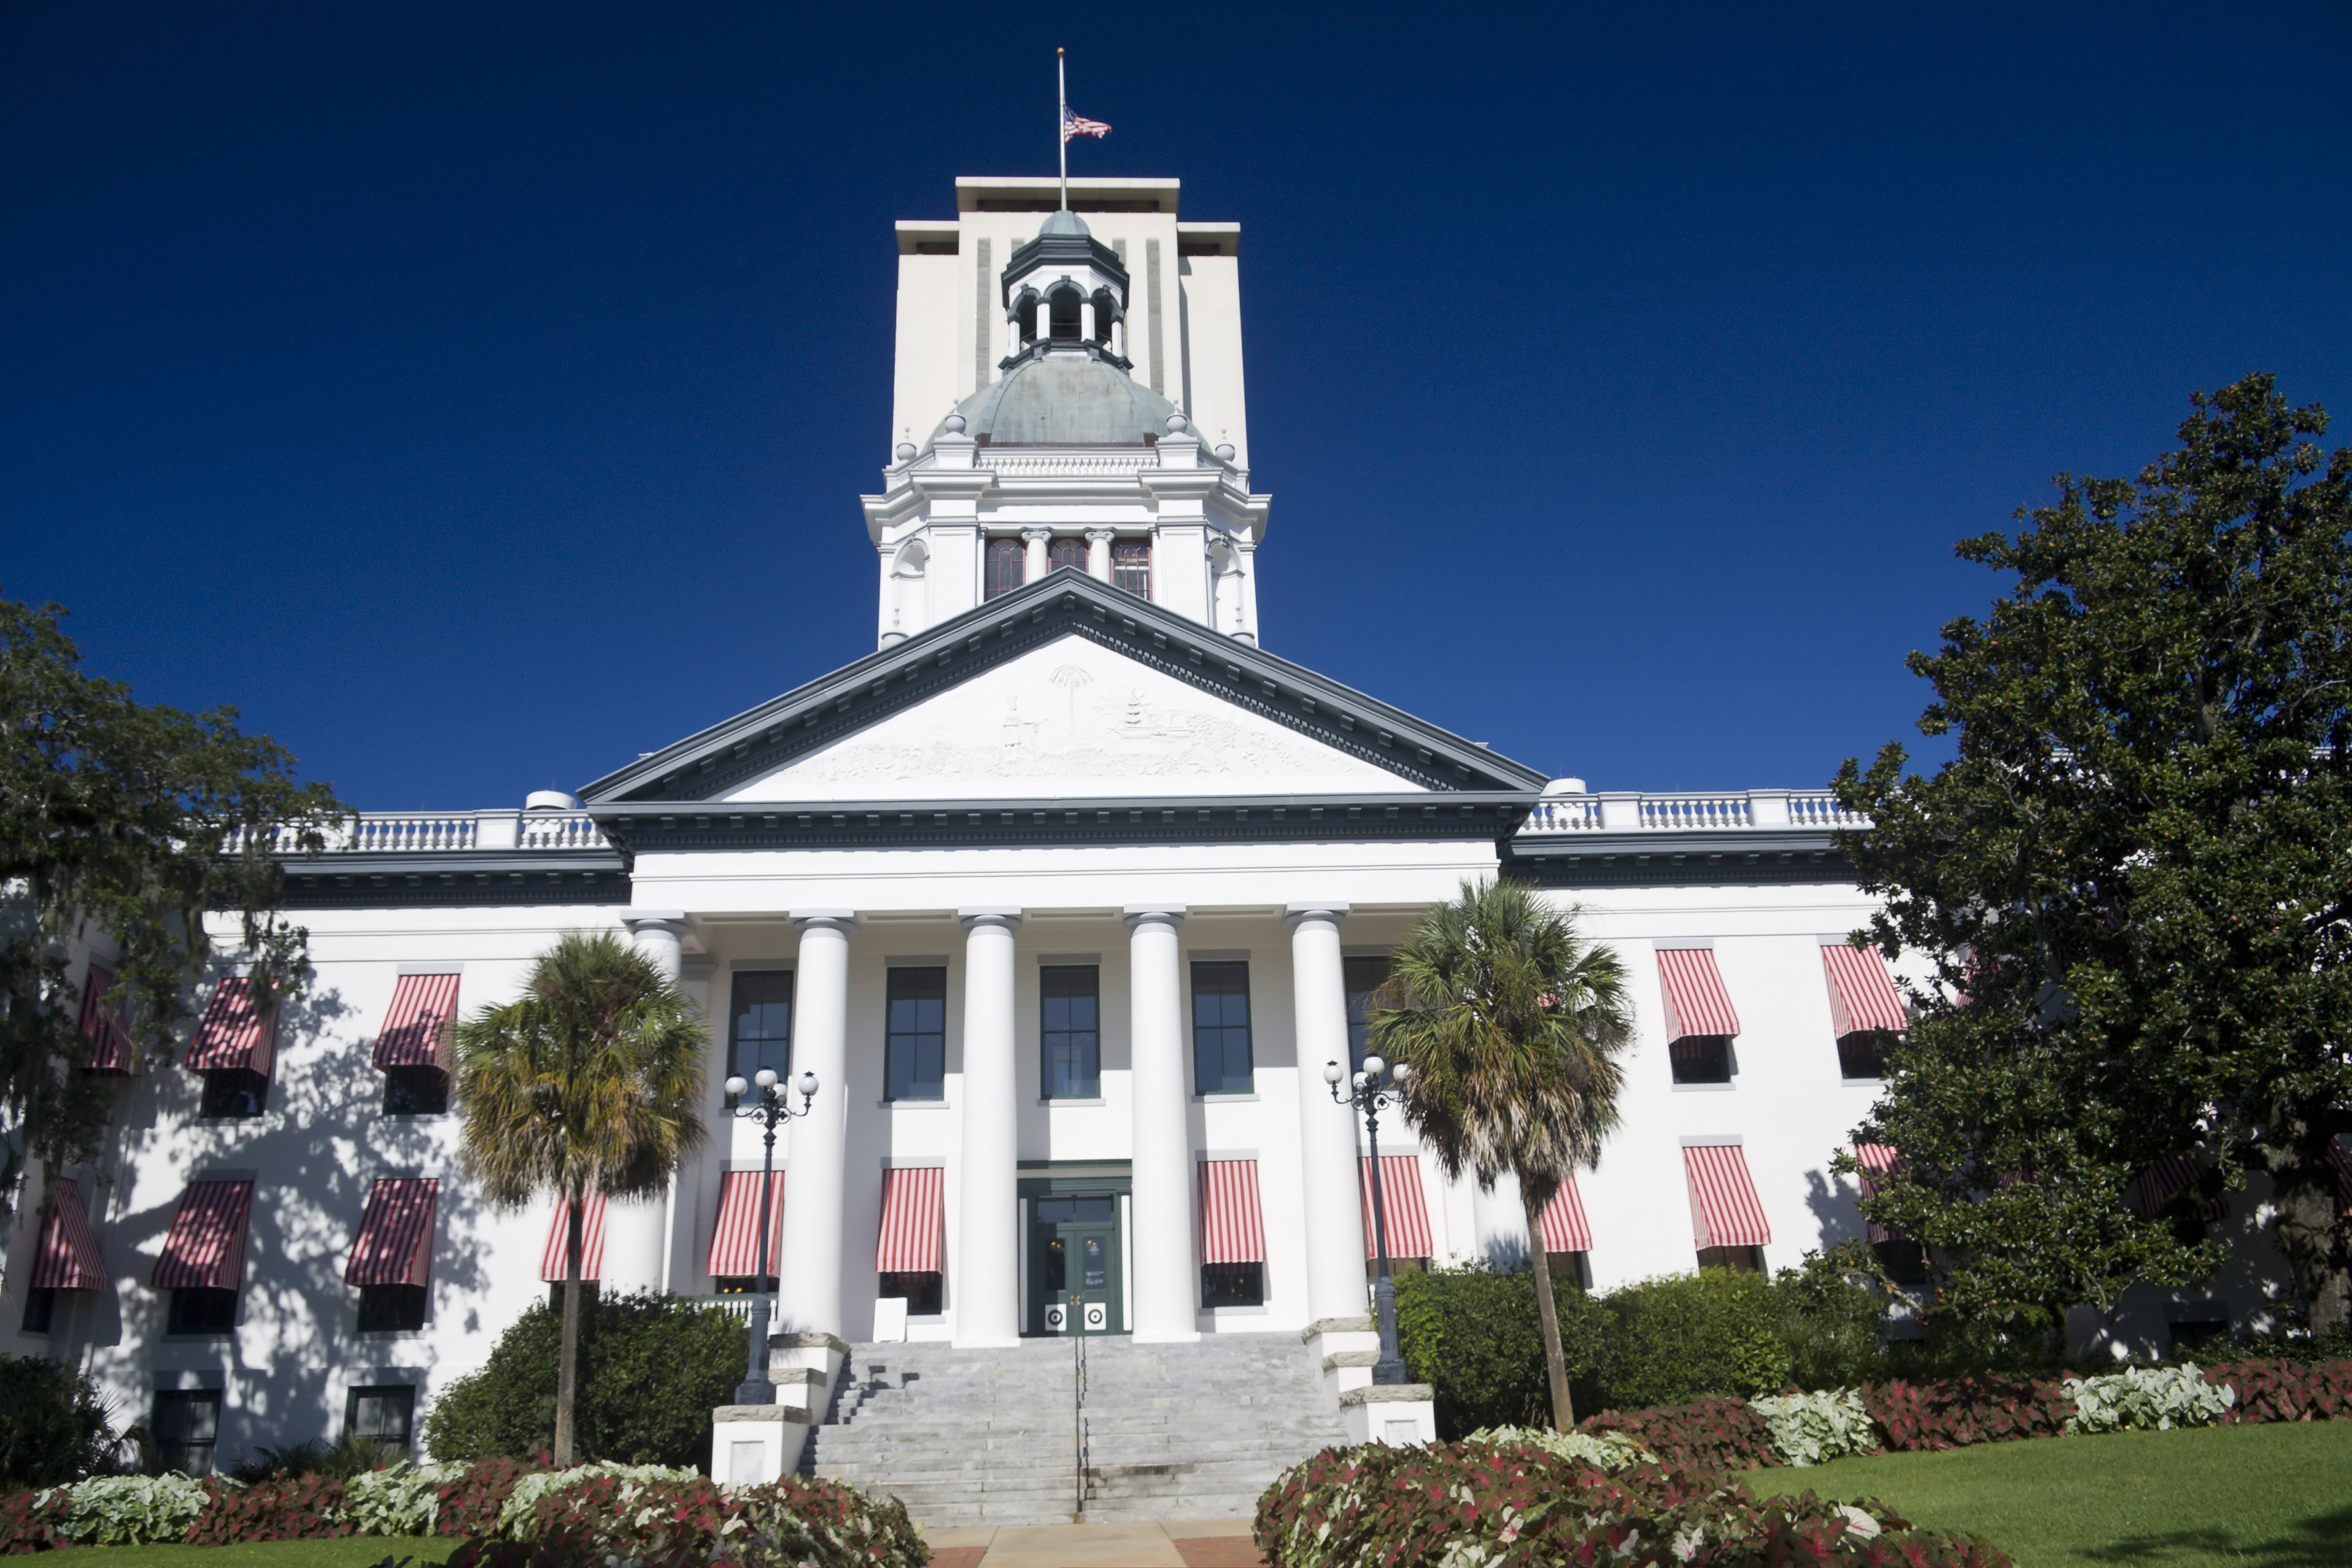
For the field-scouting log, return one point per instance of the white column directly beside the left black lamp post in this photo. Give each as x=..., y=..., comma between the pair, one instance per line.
x=810, y=1266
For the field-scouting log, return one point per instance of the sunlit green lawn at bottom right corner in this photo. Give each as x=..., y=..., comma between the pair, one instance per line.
x=2273, y=1496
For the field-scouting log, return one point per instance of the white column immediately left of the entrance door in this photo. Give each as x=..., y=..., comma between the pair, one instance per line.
x=989, y=1254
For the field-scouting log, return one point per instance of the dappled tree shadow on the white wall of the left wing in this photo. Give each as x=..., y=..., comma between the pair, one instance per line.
x=314, y=1155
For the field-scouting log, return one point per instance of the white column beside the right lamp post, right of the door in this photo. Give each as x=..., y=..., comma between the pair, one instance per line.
x=1328, y=1151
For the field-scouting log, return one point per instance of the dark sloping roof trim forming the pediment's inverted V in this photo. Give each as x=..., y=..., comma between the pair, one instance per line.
x=799, y=723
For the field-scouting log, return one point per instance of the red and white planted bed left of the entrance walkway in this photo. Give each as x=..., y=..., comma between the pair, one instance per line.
x=512, y=1515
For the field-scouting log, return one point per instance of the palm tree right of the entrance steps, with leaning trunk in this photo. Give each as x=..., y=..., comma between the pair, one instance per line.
x=1511, y=1026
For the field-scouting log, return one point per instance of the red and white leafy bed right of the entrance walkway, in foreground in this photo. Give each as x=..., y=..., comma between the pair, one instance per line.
x=1516, y=1503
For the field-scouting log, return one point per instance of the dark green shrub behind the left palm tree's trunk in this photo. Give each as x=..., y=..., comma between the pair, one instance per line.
x=650, y=1372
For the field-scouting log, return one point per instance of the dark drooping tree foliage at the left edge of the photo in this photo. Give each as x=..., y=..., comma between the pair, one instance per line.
x=133, y=822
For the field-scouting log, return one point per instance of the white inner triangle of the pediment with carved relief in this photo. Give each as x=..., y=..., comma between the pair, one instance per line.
x=1074, y=721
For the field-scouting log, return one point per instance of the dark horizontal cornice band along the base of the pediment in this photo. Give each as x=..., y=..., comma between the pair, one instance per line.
x=1003, y=824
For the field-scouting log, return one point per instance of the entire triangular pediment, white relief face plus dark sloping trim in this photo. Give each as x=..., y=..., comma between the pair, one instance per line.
x=1064, y=690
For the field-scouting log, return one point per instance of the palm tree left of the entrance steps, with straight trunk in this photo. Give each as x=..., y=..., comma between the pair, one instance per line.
x=584, y=1085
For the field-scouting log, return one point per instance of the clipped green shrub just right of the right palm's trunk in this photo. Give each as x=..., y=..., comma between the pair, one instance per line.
x=1683, y=1336
